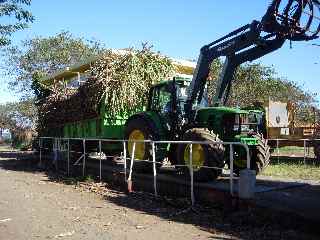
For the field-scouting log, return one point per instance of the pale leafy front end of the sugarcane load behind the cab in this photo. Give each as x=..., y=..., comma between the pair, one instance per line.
x=127, y=78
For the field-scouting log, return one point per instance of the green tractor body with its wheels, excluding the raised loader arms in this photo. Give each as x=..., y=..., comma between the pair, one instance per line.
x=165, y=119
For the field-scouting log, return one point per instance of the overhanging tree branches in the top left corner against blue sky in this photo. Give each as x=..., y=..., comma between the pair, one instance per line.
x=9, y=8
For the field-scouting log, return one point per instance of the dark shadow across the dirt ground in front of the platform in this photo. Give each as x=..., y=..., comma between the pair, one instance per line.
x=252, y=223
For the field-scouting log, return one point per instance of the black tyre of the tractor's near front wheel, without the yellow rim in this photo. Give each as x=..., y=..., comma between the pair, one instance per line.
x=213, y=155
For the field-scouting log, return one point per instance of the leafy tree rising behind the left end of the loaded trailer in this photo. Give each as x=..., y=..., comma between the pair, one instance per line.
x=35, y=58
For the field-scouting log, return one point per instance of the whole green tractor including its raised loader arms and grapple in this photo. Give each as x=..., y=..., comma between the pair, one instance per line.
x=179, y=110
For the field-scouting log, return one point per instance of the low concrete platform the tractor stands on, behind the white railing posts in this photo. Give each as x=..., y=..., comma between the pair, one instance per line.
x=297, y=197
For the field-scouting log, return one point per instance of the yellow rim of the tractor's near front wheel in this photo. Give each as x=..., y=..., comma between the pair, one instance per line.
x=198, y=156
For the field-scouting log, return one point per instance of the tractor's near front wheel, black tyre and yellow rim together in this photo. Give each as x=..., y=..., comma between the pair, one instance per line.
x=211, y=155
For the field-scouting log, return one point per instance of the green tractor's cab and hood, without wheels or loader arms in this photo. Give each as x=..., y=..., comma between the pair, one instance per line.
x=167, y=99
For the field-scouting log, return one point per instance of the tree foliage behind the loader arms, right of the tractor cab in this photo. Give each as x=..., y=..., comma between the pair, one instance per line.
x=256, y=83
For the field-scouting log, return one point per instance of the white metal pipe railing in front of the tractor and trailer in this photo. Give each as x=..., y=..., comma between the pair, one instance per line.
x=57, y=147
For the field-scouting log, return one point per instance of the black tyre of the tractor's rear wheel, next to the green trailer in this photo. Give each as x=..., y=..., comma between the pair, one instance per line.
x=149, y=131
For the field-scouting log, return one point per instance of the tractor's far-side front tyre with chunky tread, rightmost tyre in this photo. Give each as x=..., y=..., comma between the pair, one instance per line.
x=260, y=158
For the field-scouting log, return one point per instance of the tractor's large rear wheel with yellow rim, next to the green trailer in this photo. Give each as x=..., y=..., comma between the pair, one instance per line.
x=139, y=129
